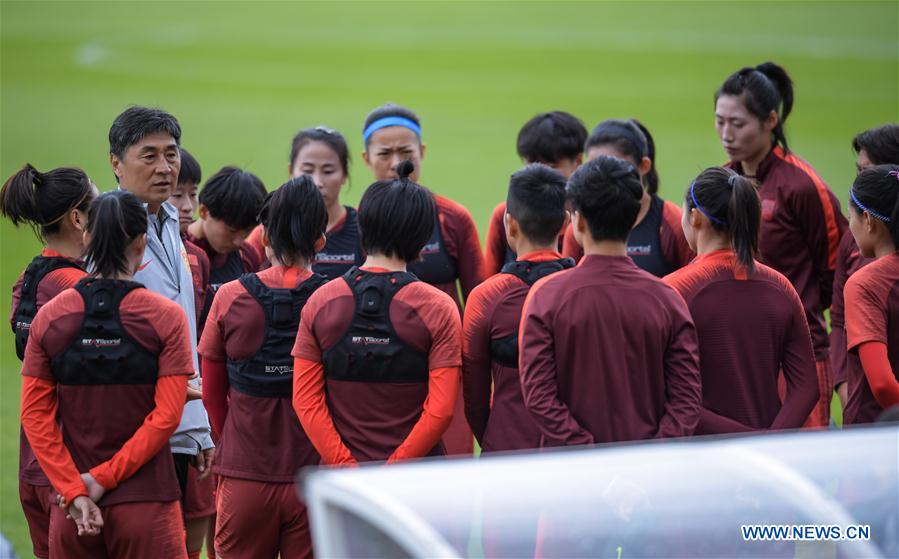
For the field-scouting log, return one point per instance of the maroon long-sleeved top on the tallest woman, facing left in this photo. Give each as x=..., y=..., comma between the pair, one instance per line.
x=800, y=234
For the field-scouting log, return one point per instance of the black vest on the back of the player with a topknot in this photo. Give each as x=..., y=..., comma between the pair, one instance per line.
x=371, y=350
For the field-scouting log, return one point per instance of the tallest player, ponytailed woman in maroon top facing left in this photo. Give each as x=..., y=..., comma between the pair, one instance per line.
x=801, y=219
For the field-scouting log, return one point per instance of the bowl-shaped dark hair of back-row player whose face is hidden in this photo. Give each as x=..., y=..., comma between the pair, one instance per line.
x=551, y=137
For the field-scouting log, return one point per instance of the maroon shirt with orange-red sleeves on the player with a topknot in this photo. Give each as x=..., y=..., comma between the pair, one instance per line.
x=351, y=421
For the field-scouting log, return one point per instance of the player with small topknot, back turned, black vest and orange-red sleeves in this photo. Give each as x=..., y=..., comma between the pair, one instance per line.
x=384, y=346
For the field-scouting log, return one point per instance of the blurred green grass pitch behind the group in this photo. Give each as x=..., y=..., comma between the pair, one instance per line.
x=243, y=77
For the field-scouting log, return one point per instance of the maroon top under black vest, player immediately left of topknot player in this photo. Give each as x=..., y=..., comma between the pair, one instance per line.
x=262, y=439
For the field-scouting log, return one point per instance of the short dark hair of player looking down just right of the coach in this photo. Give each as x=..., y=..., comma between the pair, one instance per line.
x=234, y=196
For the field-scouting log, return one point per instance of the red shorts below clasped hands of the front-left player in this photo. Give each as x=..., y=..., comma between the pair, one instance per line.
x=132, y=530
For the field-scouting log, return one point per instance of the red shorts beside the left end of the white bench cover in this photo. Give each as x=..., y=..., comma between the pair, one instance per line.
x=259, y=520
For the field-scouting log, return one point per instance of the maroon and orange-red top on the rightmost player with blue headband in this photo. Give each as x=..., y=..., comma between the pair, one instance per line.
x=872, y=315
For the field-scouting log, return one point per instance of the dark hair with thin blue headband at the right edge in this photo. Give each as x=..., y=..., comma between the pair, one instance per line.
x=876, y=191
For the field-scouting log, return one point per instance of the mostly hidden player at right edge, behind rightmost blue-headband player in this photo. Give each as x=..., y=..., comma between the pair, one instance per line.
x=877, y=146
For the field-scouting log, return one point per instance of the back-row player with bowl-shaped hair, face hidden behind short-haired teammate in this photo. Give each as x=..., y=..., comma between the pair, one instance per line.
x=556, y=139
